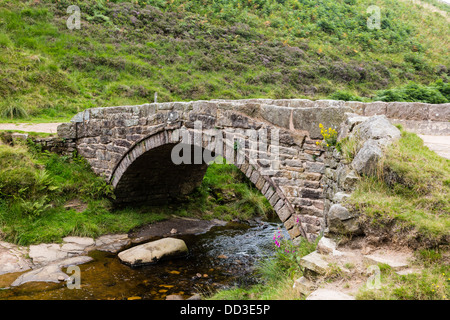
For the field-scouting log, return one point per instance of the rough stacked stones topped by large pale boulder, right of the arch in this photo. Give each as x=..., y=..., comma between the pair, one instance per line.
x=371, y=135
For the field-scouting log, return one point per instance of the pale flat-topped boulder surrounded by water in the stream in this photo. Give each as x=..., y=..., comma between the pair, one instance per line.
x=154, y=251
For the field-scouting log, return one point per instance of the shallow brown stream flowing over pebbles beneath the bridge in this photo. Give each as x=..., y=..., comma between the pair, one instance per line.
x=223, y=257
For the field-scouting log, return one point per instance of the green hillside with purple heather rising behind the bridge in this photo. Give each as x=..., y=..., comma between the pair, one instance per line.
x=190, y=50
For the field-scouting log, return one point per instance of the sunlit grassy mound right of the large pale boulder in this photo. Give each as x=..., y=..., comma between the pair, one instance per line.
x=411, y=190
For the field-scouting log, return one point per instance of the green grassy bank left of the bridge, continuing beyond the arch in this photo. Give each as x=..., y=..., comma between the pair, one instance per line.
x=45, y=197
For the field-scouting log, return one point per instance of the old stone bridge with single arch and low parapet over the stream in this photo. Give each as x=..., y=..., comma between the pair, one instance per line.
x=133, y=148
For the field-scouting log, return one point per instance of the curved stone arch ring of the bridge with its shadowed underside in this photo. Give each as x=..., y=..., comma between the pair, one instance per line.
x=146, y=171
